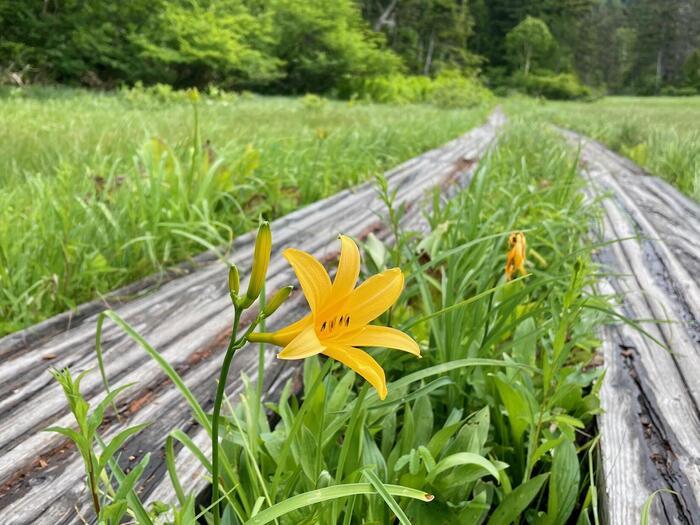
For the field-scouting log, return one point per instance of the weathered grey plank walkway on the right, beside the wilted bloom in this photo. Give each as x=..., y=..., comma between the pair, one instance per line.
x=650, y=430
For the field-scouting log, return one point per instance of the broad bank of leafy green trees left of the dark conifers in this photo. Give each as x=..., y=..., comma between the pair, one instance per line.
x=272, y=45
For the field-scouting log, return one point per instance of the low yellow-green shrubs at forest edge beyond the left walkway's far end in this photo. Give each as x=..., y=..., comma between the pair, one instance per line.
x=448, y=90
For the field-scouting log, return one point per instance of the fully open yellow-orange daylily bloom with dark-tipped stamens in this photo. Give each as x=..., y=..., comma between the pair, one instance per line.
x=340, y=315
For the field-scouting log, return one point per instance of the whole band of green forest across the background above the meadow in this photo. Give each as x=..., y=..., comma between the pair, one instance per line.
x=341, y=47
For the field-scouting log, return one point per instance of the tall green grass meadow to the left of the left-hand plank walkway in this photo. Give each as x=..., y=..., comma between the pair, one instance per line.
x=97, y=190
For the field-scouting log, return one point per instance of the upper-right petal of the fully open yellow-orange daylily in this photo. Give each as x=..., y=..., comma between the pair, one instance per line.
x=374, y=296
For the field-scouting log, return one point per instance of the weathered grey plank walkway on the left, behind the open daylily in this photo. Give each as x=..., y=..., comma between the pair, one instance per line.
x=188, y=320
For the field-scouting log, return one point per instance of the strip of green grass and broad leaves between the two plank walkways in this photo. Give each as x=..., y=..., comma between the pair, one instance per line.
x=496, y=420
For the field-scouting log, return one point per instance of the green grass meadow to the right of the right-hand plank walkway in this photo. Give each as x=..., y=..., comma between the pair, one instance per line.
x=661, y=134
